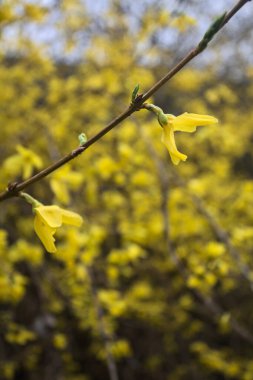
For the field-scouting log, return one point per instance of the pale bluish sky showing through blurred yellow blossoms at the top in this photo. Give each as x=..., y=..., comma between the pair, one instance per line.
x=51, y=39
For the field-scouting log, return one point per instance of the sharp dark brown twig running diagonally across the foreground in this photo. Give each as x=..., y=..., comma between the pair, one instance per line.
x=14, y=188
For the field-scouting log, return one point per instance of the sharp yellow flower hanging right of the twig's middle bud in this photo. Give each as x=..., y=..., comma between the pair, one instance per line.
x=187, y=122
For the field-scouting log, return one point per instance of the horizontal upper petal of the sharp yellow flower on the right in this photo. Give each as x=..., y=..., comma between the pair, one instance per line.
x=188, y=122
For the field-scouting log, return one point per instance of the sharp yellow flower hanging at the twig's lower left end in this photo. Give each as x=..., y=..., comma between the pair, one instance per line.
x=48, y=219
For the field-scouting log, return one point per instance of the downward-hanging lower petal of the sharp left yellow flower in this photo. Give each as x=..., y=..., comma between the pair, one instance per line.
x=45, y=234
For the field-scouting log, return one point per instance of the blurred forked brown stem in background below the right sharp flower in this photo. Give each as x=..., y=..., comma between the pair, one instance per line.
x=207, y=300
